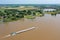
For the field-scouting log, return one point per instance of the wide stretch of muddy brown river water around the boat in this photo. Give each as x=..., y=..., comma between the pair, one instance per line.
x=47, y=28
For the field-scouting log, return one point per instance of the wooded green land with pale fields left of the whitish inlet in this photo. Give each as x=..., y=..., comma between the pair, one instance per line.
x=11, y=14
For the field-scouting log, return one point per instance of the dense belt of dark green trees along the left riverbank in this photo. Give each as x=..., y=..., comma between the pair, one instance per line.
x=14, y=14
